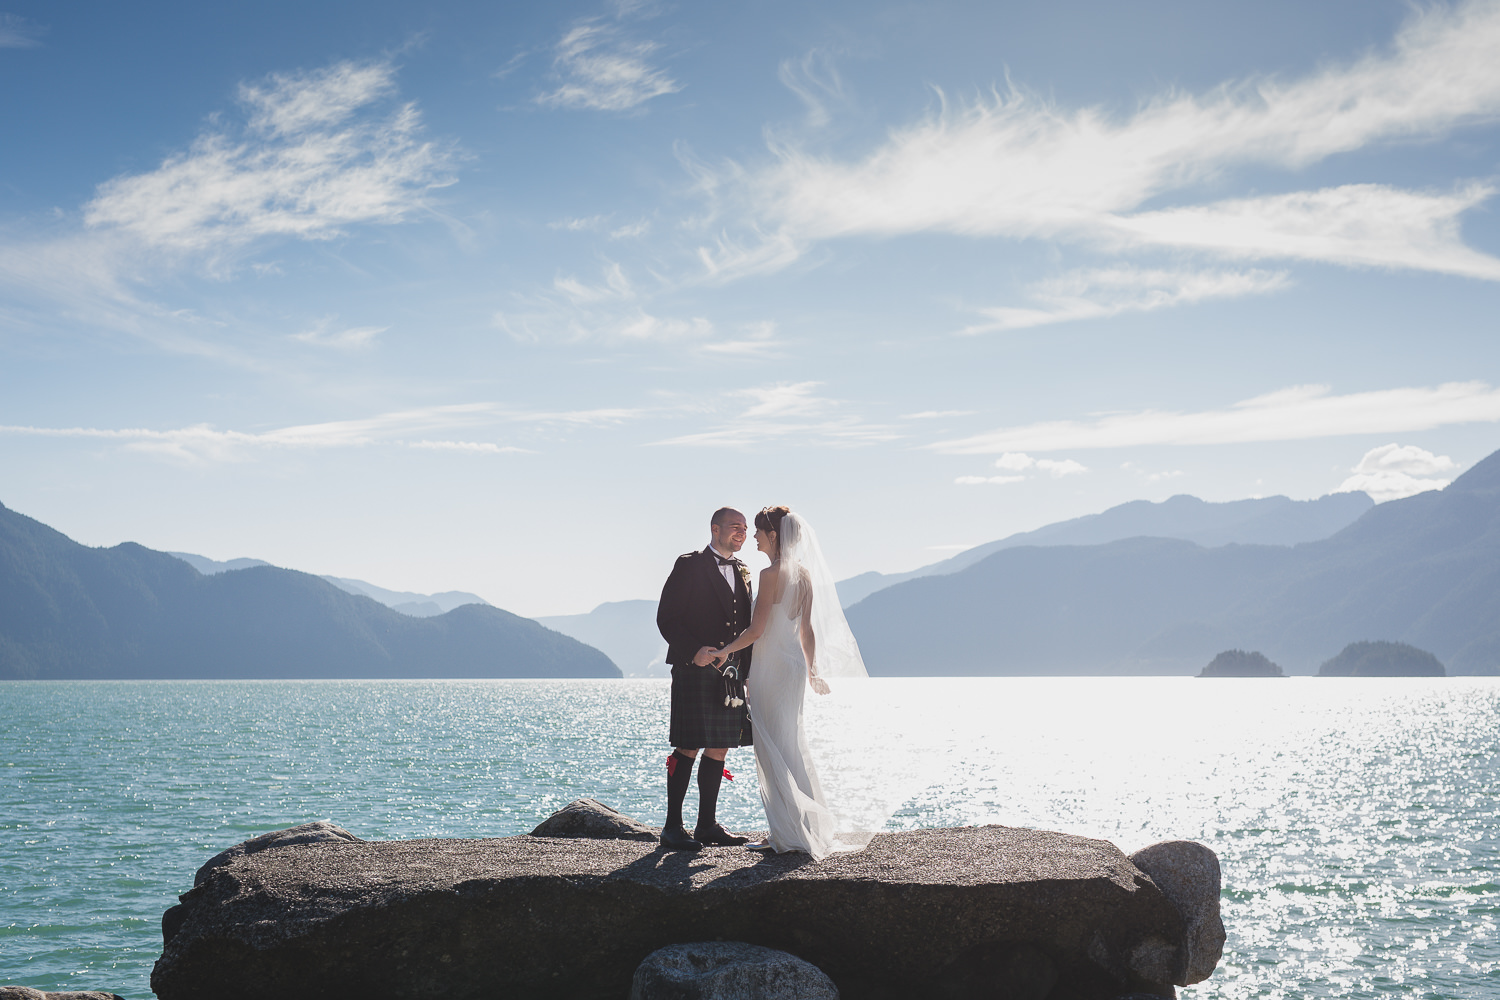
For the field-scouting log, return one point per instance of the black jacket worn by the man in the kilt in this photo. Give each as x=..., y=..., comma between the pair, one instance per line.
x=700, y=609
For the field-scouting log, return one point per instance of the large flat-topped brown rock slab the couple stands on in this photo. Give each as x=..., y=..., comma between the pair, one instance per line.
x=968, y=912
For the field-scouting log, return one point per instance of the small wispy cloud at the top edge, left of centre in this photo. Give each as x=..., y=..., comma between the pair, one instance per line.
x=604, y=71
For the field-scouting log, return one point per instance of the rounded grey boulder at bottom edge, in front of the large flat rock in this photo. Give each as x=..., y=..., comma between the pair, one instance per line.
x=728, y=971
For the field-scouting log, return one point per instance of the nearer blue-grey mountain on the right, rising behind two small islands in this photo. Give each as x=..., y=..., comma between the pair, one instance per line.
x=1424, y=570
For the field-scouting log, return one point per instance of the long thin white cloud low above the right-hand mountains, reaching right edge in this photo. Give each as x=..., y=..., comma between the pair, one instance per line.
x=1291, y=415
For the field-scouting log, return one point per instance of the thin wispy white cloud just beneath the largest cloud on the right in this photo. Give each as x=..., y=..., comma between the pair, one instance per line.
x=1094, y=295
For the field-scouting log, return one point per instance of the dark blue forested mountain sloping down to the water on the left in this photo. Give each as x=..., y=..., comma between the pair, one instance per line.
x=70, y=611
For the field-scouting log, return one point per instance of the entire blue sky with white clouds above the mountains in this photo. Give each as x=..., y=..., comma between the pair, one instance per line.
x=509, y=298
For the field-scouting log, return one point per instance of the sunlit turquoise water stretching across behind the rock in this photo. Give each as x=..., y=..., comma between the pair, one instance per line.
x=1355, y=819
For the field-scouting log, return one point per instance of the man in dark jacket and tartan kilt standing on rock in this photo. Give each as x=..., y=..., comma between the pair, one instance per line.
x=706, y=605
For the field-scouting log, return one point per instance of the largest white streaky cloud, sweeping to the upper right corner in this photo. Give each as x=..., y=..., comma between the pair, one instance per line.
x=1021, y=167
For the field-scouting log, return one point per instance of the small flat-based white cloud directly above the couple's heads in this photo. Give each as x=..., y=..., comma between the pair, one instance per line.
x=790, y=415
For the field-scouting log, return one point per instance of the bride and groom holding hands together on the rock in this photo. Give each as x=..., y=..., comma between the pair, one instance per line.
x=797, y=635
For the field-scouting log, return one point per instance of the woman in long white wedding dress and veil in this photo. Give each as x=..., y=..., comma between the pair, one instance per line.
x=800, y=638
